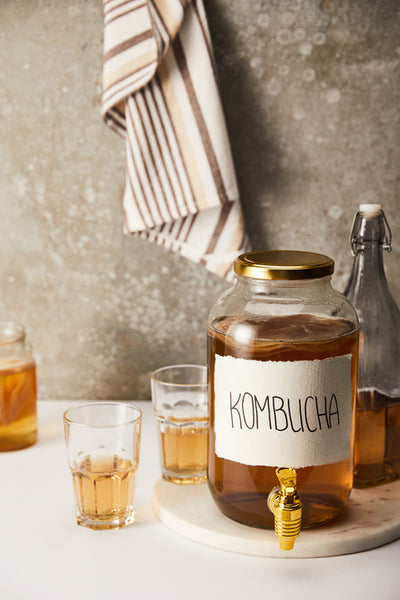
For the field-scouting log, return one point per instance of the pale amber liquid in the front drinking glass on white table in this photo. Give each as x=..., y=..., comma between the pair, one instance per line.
x=104, y=491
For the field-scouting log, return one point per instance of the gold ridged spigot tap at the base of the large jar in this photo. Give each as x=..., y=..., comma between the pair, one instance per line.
x=286, y=507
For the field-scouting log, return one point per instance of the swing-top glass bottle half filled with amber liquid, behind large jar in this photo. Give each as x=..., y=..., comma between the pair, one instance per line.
x=377, y=430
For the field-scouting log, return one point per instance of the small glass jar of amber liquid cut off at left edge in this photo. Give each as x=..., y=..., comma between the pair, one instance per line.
x=18, y=396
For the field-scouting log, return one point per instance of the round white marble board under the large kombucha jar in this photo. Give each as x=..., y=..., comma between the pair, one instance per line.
x=371, y=519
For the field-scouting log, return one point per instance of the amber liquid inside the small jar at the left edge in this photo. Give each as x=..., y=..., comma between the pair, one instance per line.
x=18, y=420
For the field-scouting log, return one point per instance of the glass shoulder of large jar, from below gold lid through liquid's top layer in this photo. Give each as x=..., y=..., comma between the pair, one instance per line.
x=285, y=311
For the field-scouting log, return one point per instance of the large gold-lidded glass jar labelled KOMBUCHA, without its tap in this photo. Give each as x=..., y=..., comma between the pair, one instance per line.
x=282, y=354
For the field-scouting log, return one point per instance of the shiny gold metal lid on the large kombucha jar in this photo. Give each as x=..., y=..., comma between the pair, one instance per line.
x=283, y=265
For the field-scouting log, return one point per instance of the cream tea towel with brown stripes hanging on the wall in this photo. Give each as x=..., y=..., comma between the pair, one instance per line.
x=160, y=93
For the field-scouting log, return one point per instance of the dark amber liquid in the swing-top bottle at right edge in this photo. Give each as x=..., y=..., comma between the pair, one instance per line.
x=377, y=439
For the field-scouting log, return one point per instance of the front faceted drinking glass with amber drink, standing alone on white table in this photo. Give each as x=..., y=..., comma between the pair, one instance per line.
x=103, y=446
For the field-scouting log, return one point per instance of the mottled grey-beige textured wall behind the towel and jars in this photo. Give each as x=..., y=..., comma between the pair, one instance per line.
x=311, y=94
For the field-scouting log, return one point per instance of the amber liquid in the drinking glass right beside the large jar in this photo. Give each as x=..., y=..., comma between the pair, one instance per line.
x=184, y=449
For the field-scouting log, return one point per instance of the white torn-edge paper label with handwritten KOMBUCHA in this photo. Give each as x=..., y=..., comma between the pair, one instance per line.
x=285, y=413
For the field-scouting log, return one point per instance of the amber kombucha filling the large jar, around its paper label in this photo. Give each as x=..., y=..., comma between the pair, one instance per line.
x=241, y=490
